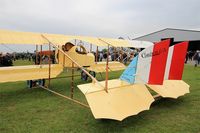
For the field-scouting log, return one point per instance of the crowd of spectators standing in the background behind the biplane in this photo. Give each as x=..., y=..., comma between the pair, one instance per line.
x=124, y=56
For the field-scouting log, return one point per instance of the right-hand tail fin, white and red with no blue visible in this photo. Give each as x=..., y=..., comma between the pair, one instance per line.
x=175, y=61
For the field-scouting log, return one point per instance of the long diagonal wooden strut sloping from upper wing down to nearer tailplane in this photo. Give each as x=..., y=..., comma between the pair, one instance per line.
x=93, y=79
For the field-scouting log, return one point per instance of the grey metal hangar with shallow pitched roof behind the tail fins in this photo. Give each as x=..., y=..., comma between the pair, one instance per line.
x=177, y=35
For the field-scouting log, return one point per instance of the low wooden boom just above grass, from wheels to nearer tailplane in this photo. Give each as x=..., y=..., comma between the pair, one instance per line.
x=66, y=97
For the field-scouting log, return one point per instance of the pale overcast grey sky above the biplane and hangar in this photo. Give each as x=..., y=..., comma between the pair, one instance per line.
x=98, y=18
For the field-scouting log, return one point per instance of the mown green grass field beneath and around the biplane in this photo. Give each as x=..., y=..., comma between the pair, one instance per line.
x=36, y=110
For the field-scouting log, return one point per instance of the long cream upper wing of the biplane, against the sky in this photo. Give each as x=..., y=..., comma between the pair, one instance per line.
x=15, y=37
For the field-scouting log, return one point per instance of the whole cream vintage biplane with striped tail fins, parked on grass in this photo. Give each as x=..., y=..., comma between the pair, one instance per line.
x=158, y=67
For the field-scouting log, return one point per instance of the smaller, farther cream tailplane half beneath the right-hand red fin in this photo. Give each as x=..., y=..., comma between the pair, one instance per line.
x=171, y=88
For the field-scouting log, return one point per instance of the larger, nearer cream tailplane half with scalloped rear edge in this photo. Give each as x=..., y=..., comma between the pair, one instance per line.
x=121, y=101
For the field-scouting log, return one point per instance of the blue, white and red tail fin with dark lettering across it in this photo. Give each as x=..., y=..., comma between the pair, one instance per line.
x=149, y=65
